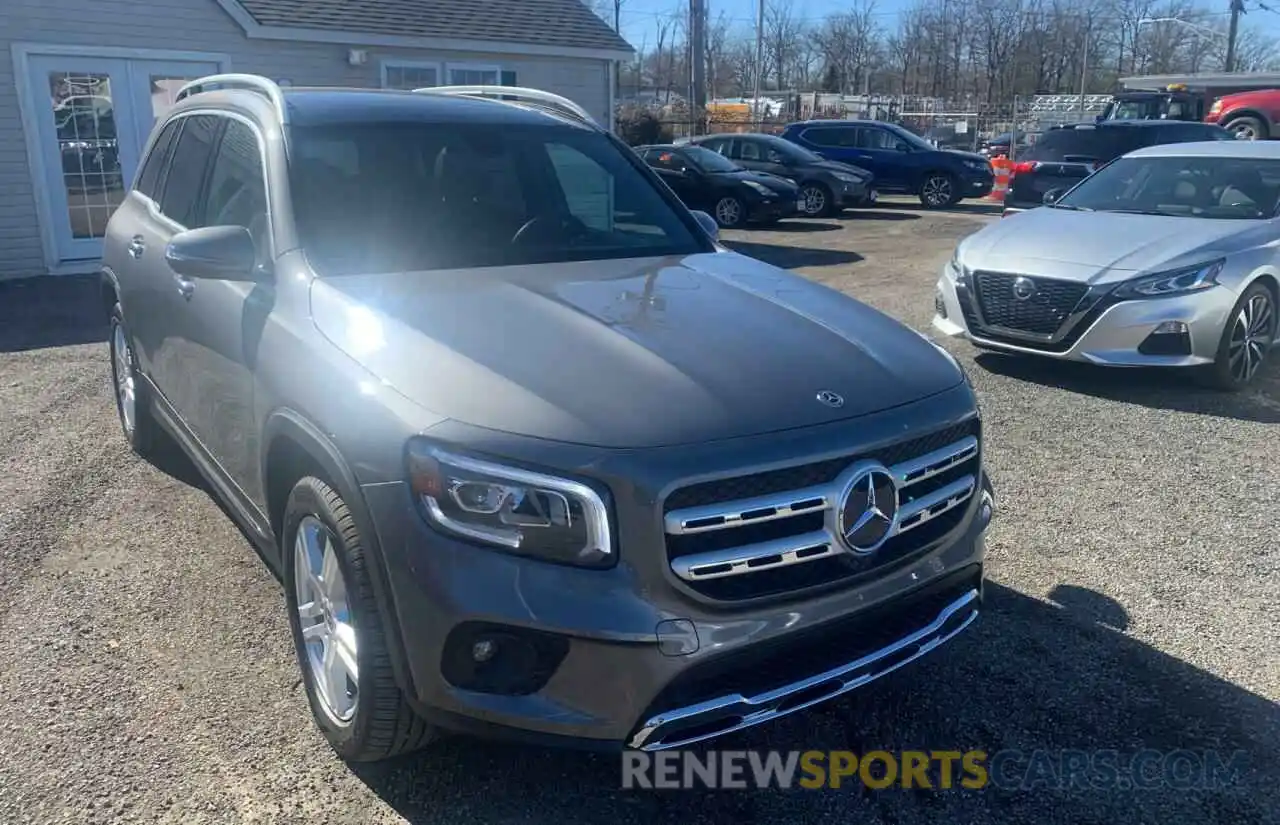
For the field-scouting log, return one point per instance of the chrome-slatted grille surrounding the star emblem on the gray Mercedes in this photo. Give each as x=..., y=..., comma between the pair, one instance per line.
x=785, y=540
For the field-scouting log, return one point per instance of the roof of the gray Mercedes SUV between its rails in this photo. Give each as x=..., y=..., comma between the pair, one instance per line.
x=319, y=107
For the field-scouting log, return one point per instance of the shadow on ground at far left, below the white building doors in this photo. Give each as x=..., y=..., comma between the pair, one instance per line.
x=51, y=311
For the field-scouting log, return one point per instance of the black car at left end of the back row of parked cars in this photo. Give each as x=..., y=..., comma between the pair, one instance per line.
x=733, y=195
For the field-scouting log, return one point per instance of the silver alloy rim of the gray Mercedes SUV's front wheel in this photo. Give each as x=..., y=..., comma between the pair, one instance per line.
x=326, y=621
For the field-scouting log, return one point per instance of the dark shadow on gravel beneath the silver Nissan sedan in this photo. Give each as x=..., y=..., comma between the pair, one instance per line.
x=1155, y=388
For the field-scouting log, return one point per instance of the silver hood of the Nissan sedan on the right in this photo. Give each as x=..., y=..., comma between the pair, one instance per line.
x=1100, y=246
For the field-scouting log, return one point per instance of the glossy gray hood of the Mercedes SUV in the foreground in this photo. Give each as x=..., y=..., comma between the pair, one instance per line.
x=629, y=354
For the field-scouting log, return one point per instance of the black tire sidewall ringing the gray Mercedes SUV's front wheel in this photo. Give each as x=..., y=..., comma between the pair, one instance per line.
x=308, y=499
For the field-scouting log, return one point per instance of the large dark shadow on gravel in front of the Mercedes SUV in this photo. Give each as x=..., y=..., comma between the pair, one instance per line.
x=1030, y=677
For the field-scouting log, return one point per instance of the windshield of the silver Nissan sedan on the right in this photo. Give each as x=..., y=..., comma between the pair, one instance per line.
x=1190, y=187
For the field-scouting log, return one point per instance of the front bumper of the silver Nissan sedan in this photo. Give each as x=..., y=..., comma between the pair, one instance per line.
x=1114, y=337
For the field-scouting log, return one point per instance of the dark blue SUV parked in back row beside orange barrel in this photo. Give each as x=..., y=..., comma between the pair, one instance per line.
x=900, y=161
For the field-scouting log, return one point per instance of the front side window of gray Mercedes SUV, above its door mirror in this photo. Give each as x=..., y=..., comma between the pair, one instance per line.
x=237, y=196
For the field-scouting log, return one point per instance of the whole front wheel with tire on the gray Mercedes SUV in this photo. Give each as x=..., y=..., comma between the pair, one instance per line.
x=337, y=631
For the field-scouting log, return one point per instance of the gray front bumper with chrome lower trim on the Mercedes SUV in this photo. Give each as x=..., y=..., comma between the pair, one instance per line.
x=644, y=664
